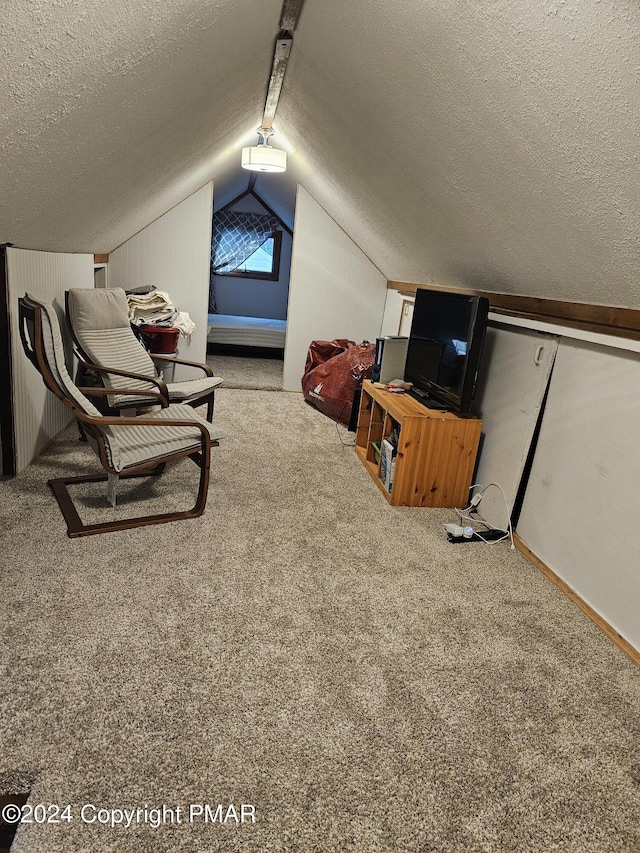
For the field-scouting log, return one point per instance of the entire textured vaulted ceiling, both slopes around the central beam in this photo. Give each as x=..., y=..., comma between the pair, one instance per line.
x=490, y=144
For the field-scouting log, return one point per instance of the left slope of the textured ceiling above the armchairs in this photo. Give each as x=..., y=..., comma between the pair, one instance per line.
x=113, y=112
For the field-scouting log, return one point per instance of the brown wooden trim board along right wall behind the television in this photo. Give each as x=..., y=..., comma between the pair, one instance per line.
x=605, y=319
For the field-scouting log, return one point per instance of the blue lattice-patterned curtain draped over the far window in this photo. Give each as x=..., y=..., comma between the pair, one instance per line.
x=236, y=236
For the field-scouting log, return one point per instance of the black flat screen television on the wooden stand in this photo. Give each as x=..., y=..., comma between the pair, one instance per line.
x=444, y=349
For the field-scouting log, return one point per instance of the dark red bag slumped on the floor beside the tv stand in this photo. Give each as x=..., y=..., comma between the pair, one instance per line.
x=333, y=372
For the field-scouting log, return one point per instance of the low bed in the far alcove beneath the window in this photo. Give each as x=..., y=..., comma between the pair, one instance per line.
x=232, y=334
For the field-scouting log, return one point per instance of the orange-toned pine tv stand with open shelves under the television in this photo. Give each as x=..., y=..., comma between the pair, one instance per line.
x=436, y=450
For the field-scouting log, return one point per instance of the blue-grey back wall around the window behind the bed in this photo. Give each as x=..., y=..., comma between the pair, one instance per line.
x=254, y=297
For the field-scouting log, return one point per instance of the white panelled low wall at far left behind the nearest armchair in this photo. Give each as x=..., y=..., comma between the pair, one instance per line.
x=38, y=414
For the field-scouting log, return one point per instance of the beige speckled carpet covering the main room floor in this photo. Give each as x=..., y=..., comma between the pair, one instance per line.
x=308, y=651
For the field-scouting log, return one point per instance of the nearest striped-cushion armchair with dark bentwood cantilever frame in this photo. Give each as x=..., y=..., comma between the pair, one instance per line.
x=126, y=446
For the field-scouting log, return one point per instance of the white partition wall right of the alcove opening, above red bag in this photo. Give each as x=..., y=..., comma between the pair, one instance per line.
x=335, y=291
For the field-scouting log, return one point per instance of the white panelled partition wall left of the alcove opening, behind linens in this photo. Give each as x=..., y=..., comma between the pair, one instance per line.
x=173, y=253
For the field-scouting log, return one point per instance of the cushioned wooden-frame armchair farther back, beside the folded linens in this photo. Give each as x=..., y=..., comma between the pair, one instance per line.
x=98, y=319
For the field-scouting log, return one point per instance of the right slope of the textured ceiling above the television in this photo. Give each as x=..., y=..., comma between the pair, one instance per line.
x=494, y=144
